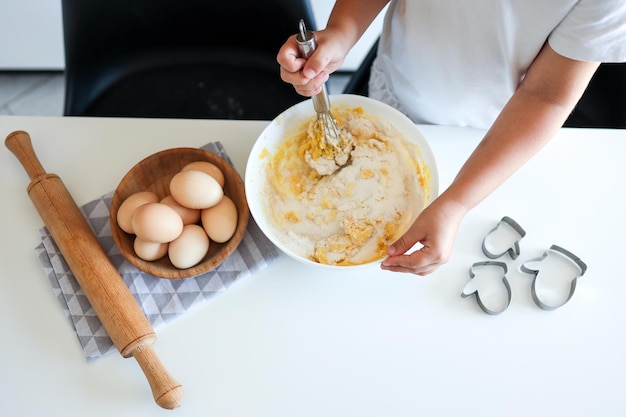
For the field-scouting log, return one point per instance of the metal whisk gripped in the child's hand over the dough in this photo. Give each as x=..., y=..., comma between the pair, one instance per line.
x=326, y=123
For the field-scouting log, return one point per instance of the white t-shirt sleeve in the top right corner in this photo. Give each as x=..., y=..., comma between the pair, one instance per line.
x=594, y=30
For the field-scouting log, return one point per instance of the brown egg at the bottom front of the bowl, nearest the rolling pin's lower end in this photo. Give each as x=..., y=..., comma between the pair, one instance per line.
x=189, y=248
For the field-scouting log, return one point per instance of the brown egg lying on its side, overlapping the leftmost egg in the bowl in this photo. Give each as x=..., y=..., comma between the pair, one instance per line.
x=156, y=222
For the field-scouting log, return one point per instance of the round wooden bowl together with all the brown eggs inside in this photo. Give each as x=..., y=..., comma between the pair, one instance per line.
x=179, y=213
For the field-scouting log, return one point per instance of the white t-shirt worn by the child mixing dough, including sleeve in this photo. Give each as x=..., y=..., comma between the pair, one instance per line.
x=457, y=62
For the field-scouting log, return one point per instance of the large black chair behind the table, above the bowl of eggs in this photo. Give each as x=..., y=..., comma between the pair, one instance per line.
x=178, y=58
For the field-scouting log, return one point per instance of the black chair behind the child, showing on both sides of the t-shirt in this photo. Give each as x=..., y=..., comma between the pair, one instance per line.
x=603, y=105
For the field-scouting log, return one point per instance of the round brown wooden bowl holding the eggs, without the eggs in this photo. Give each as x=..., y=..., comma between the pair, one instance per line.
x=154, y=174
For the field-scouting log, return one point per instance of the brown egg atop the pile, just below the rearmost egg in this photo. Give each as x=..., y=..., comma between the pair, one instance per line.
x=195, y=189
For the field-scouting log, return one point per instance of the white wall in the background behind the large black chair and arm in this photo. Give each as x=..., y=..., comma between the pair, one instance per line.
x=31, y=34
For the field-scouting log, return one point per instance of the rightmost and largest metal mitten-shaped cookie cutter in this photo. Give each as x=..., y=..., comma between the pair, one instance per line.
x=557, y=254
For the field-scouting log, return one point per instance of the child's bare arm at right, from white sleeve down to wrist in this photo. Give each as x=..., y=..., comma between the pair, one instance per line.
x=530, y=119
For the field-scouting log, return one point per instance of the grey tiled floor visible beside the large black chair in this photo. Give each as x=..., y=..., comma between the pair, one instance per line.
x=42, y=93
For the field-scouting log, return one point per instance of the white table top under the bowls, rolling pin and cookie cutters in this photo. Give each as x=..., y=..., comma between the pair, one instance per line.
x=291, y=341
